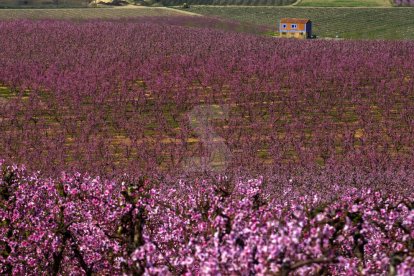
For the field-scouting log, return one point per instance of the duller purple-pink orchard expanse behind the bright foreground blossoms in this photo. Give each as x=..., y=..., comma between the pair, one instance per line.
x=106, y=97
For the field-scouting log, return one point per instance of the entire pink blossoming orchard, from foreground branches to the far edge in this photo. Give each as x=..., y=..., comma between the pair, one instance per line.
x=312, y=142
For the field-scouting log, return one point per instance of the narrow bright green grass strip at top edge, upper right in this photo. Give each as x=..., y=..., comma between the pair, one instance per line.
x=345, y=3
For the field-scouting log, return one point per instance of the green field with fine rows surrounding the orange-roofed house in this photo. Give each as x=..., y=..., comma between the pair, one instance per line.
x=355, y=23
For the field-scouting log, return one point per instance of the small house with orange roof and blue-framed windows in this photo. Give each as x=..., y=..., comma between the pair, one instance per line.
x=295, y=27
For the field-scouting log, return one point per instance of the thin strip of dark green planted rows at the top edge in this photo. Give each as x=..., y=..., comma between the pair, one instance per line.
x=229, y=2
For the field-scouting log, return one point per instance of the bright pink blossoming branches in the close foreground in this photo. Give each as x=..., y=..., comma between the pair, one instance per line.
x=78, y=224
